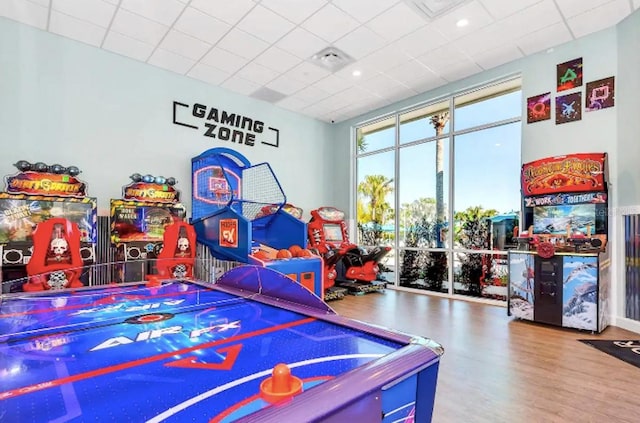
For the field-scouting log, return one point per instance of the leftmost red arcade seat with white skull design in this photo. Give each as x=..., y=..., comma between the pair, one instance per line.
x=56, y=262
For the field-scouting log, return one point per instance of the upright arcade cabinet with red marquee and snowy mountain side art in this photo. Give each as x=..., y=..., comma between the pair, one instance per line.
x=560, y=273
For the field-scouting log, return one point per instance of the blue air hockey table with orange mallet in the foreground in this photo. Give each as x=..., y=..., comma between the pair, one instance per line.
x=253, y=347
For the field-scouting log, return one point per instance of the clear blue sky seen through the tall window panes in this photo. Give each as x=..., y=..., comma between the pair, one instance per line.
x=487, y=162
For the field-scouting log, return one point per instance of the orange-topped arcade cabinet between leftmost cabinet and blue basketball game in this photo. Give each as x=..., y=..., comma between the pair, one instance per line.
x=138, y=222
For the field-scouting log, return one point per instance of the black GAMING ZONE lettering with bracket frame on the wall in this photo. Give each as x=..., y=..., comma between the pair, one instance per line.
x=224, y=125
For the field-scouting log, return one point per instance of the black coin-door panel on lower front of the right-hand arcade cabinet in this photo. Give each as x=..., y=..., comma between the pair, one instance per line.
x=548, y=290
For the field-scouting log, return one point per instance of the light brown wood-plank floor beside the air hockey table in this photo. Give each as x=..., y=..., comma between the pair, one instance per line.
x=496, y=369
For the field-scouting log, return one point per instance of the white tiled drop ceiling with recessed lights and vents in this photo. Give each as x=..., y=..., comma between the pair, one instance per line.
x=301, y=54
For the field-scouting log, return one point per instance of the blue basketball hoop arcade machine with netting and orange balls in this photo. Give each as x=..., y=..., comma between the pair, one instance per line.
x=239, y=212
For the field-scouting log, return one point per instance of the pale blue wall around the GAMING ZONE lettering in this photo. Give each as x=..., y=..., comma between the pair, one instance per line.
x=64, y=102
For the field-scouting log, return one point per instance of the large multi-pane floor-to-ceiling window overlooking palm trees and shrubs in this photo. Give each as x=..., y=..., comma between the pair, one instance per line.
x=439, y=183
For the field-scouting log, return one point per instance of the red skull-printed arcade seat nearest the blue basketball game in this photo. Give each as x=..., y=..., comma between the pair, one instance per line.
x=178, y=253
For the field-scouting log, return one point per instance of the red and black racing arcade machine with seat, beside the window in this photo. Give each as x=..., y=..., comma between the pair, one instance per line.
x=352, y=267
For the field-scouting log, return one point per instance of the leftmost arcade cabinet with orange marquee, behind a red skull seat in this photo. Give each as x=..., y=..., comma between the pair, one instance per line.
x=37, y=193
